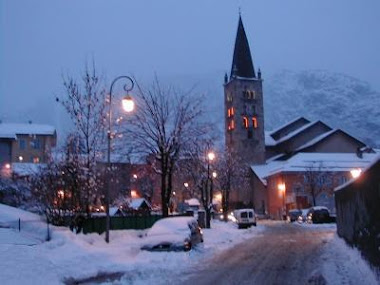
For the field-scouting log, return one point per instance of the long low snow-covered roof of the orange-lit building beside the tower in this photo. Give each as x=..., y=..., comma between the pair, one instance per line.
x=328, y=162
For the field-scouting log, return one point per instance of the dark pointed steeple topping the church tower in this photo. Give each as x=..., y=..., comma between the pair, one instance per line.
x=242, y=65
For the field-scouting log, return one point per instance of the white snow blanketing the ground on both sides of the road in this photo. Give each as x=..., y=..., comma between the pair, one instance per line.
x=26, y=259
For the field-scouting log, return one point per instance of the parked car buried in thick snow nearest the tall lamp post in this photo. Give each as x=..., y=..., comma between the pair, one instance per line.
x=173, y=234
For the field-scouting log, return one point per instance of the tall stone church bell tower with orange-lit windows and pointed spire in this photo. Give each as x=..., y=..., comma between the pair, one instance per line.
x=243, y=101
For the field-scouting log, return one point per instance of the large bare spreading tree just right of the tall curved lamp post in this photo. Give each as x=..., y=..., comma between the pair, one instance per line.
x=164, y=123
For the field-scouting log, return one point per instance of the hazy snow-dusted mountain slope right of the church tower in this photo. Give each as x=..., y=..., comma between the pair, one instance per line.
x=339, y=100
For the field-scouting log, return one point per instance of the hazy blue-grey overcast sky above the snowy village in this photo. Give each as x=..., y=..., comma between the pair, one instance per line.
x=41, y=40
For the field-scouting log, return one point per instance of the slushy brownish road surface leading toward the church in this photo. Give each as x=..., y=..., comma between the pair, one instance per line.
x=284, y=254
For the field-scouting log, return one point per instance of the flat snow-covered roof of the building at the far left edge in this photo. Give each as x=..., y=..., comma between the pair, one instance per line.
x=11, y=130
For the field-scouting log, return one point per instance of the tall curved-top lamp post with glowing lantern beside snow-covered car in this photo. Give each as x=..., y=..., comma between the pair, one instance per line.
x=128, y=106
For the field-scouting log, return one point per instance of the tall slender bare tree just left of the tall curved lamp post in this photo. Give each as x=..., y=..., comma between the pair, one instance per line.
x=85, y=102
